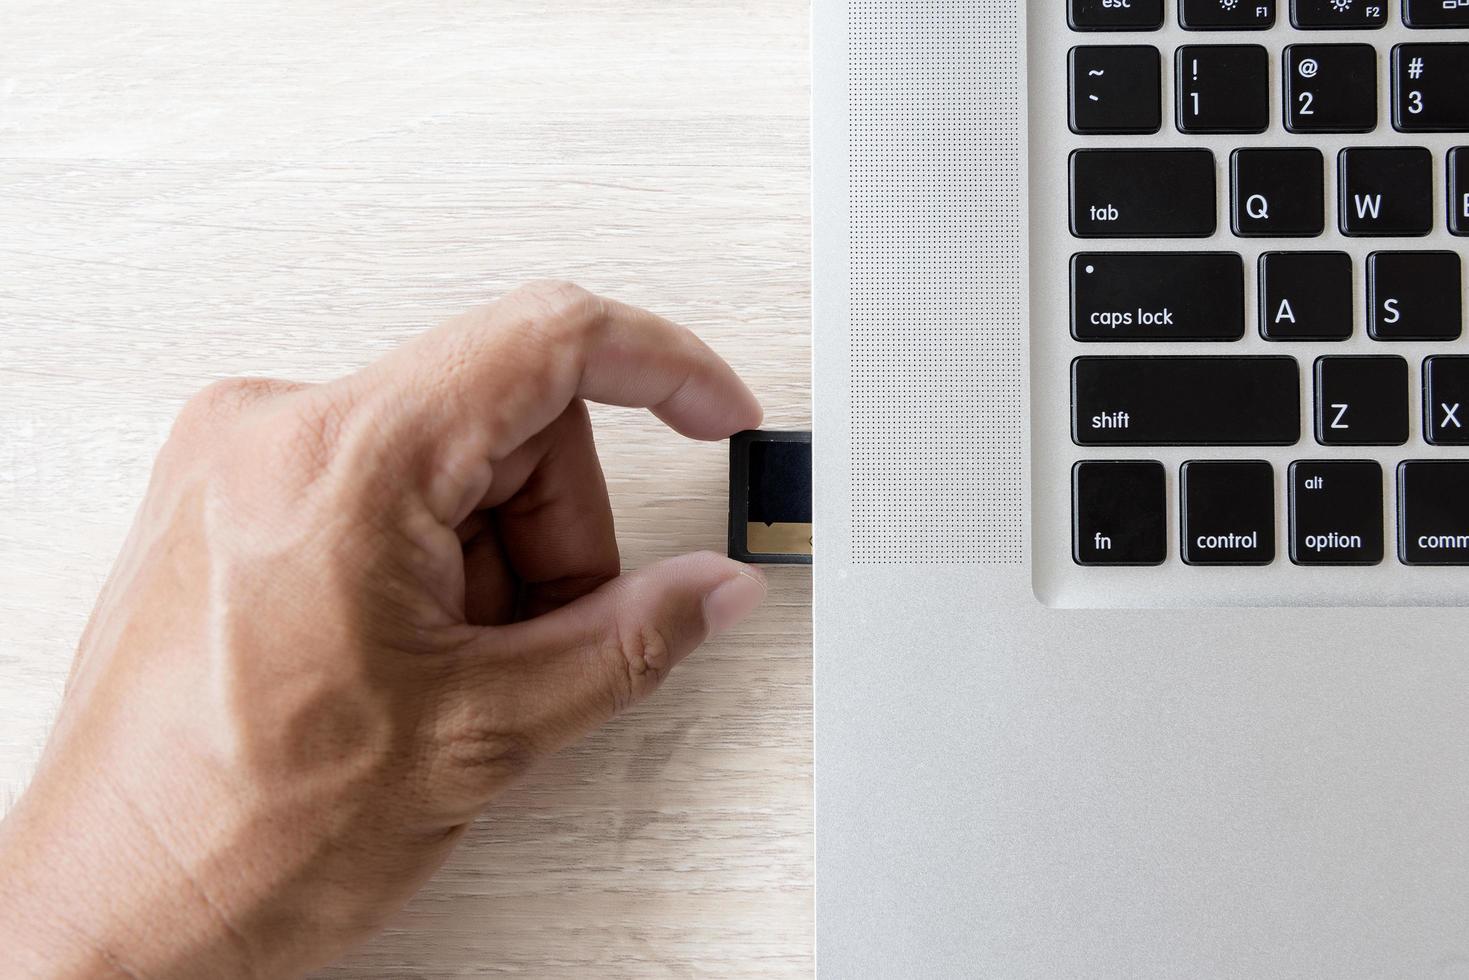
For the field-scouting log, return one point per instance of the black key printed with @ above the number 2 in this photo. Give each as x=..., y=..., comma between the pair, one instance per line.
x=1332, y=89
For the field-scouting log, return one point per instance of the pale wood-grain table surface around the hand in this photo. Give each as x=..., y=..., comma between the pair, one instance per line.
x=292, y=187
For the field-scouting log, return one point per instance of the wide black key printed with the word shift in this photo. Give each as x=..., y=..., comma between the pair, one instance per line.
x=1185, y=402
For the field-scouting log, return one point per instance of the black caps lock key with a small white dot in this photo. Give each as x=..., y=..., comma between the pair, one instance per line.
x=1172, y=296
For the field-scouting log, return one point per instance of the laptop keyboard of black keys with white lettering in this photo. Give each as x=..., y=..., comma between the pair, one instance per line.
x=1268, y=375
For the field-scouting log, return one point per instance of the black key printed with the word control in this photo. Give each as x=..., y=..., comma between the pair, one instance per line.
x=1229, y=512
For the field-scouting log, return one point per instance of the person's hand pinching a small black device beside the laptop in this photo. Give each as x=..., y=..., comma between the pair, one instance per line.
x=346, y=618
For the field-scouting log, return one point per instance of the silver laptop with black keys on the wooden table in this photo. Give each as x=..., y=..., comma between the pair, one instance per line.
x=1142, y=453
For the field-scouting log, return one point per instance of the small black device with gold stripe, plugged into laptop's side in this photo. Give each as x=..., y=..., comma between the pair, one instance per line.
x=770, y=497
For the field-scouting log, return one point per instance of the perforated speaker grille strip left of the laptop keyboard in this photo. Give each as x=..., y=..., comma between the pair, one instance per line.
x=936, y=281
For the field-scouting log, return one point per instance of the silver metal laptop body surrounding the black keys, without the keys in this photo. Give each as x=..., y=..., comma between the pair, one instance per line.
x=1032, y=768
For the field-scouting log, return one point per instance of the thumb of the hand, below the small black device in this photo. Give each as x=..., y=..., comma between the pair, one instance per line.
x=596, y=657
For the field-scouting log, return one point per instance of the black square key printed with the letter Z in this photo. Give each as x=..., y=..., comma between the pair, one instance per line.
x=1361, y=400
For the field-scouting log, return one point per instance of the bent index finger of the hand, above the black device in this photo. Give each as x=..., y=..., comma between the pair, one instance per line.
x=500, y=374
